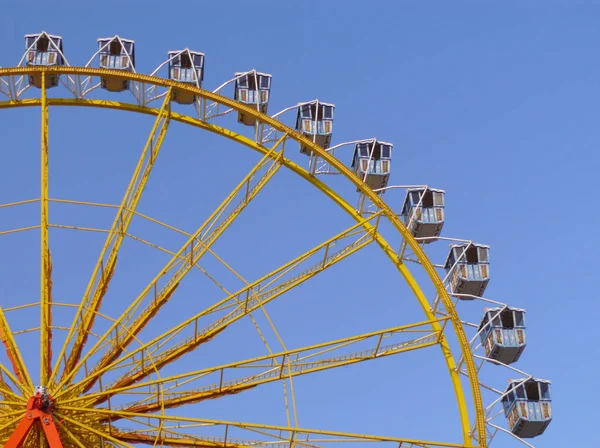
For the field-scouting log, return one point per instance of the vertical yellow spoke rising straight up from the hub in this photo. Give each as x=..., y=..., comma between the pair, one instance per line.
x=46, y=264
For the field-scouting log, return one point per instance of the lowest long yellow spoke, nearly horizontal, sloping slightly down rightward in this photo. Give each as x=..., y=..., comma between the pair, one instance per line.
x=294, y=434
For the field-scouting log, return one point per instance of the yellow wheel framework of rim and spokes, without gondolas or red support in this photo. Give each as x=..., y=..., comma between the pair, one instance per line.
x=124, y=386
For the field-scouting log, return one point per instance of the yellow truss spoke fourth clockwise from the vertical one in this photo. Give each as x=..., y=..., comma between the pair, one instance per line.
x=248, y=299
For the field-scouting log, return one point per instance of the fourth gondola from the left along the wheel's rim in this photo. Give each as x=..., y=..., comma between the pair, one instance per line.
x=252, y=88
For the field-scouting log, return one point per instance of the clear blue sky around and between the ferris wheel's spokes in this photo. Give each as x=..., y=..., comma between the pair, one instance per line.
x=495, y=102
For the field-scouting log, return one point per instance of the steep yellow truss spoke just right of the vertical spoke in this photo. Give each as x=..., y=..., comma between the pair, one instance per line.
x=103, y=271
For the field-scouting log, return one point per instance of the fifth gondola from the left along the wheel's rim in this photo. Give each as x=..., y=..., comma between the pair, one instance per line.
x=315, y=121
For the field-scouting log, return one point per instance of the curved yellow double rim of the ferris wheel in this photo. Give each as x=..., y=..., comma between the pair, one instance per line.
x=340, y=167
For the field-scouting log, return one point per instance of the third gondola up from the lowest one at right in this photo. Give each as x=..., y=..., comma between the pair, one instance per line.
x=468, y=267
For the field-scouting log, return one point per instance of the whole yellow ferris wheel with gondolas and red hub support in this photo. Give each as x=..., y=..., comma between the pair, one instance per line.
x=110, y=385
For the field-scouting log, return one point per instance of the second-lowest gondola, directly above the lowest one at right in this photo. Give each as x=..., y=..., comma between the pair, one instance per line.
x=502, y=334
